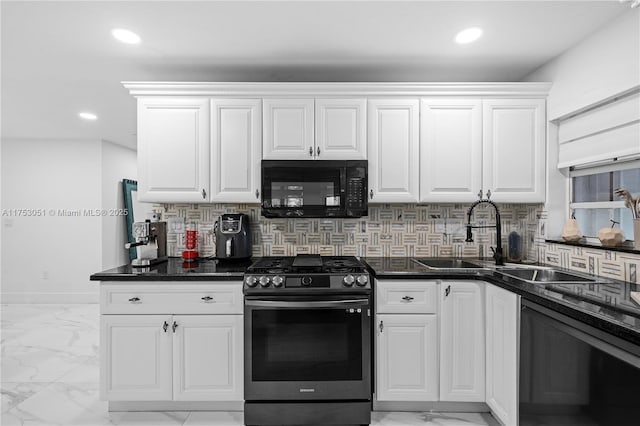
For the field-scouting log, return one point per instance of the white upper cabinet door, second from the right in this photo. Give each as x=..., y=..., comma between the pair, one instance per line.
x=450, y=149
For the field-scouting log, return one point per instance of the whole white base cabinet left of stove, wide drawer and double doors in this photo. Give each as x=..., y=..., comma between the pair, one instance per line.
x=150, y=356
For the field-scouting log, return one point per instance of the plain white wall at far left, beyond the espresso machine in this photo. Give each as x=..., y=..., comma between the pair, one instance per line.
x=48, y=258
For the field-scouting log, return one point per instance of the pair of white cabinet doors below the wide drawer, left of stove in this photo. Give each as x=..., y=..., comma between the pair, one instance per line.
x=197, y=358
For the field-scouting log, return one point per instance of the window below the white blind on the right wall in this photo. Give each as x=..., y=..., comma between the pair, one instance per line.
x=594, y=202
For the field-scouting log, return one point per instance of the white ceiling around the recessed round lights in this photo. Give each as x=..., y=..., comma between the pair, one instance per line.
x=59, y=58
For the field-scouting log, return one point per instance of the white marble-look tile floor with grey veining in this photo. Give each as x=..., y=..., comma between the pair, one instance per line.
x=50, y=376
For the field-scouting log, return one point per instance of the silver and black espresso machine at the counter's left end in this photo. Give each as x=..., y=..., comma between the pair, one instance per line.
x=150, y=244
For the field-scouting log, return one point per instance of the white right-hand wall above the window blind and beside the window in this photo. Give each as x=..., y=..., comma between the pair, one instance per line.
x=601, y=66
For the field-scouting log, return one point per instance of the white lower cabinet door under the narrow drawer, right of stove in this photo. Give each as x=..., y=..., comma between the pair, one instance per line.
x=407, y=357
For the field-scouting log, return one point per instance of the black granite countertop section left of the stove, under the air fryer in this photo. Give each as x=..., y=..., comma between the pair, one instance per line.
x=174, y=269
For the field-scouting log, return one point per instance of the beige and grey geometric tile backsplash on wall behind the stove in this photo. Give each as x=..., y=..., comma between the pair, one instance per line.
x=389, y=230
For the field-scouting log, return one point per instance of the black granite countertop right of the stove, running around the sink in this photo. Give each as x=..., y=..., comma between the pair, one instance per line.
x=607, y=306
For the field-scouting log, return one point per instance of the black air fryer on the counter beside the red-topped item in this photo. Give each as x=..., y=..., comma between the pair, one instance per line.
x=233, y=236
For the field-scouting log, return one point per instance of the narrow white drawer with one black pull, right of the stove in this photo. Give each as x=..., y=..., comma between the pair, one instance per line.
x=406, y=296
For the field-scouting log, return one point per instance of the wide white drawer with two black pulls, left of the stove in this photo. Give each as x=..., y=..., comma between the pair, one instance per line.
x=171, y=298
